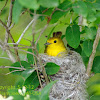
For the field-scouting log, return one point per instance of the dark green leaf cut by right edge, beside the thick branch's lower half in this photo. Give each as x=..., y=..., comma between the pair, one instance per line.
x=96, y=65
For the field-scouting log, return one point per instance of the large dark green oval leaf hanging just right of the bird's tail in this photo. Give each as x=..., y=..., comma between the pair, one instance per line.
x=73, y=36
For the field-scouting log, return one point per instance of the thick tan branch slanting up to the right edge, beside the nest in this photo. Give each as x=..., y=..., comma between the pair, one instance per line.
x=95, y=44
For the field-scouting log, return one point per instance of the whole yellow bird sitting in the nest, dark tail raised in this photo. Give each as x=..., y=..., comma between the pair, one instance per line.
x=55, y=46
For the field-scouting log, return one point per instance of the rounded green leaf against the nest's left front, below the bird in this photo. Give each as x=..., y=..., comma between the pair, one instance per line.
x=51, y=68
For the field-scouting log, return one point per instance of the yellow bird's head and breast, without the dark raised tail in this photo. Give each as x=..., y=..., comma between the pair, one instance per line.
x=55, y=47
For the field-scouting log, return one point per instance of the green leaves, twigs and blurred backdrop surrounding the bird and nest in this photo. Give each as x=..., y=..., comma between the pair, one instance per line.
x=25, y=25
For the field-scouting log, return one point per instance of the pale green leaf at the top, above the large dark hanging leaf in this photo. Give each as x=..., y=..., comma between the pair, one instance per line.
x=80, y=8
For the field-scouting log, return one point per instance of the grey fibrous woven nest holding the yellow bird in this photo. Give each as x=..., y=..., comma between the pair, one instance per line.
x=71, y=77
